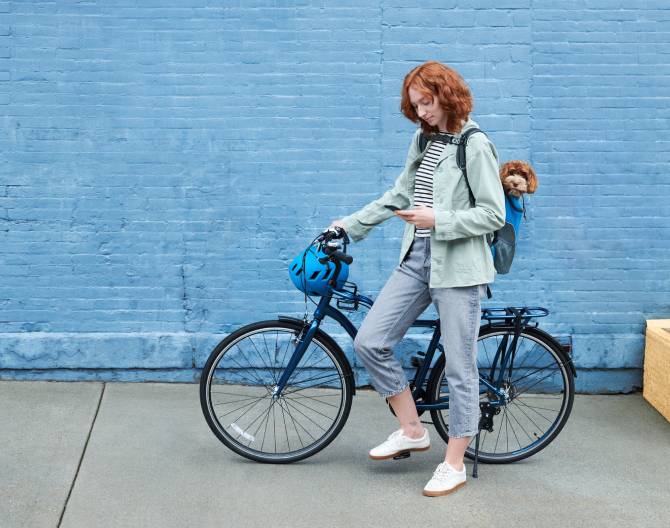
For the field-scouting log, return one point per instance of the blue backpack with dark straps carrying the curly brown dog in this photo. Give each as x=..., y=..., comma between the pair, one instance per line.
x=504, y=239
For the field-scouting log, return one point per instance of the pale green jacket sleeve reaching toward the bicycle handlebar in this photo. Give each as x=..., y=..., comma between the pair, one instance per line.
x=359, y=224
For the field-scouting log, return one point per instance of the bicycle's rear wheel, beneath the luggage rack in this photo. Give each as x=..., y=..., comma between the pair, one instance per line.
x=547, y=381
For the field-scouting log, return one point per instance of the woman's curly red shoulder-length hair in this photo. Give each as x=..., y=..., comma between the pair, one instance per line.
x=431, y=79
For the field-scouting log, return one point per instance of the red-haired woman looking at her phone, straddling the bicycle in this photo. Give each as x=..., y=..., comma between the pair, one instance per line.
x=444, y=259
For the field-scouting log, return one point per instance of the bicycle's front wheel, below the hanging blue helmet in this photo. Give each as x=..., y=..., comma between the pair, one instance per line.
x=238, y=382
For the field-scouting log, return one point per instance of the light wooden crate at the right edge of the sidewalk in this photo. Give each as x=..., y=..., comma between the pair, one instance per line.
x=657, y=366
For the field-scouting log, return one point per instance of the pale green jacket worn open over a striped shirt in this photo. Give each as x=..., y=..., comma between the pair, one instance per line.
x=460, y=255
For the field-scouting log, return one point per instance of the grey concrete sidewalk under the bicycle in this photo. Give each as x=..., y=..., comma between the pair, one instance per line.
x=127, y=455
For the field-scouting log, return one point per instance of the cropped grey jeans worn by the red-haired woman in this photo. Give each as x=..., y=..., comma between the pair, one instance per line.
x=402, y=300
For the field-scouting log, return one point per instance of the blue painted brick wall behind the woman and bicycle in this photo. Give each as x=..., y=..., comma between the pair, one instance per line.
x=161, y=163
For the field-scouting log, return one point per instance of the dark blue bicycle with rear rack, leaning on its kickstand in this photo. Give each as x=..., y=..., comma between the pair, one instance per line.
x=290, y=377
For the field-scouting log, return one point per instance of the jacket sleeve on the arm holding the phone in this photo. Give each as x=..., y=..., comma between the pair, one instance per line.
x=488, y=214
